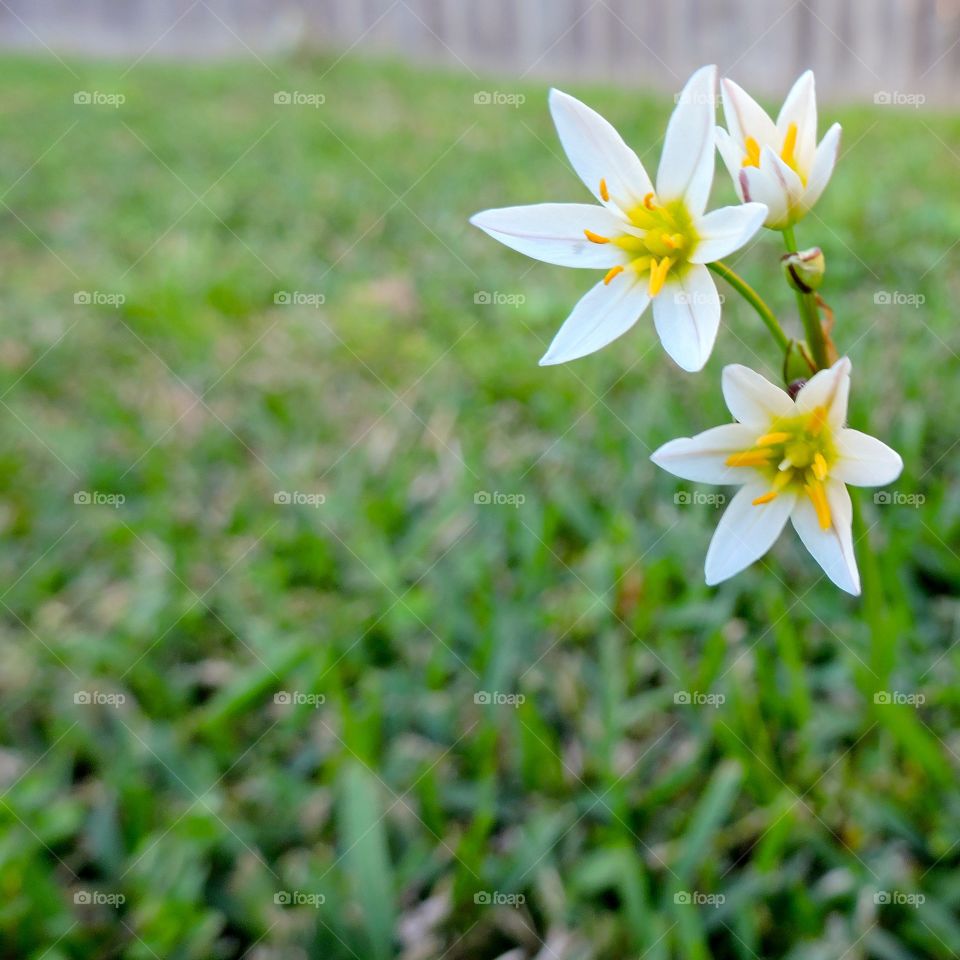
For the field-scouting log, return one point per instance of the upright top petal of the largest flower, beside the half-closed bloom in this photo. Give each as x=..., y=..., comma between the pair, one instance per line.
x=687, y=161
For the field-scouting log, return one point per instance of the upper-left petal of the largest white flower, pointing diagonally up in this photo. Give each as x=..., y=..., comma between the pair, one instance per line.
x=597, y=152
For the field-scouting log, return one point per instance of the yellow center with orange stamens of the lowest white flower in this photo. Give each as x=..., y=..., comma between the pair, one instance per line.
x=796, y=454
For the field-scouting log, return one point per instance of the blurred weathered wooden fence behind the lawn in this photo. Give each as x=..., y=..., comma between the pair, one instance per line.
x=899, y=50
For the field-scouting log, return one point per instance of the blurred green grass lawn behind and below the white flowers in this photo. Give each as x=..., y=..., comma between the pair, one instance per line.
x=585, y=812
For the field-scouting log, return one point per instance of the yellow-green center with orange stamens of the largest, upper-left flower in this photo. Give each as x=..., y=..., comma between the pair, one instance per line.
x=668, y=240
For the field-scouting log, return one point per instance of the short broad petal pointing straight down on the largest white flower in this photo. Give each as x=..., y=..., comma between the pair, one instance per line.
x=686, y=314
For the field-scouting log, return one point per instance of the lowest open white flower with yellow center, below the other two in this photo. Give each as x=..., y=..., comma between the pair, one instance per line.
x=794, y=459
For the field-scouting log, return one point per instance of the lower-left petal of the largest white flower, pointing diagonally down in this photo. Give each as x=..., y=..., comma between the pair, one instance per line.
x=603, y=314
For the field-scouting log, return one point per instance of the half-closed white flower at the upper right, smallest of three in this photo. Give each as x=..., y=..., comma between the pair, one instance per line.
x=778, y=164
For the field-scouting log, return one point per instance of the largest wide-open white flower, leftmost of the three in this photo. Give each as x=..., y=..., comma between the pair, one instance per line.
x=653, y=242
